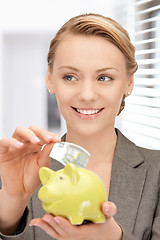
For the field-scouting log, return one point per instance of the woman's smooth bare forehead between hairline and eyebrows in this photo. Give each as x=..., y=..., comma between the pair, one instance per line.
x=77, y=49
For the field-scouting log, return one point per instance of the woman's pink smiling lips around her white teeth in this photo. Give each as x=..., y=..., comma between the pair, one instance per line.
x=89, y=116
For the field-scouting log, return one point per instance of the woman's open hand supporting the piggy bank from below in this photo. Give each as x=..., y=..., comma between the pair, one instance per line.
x=62, y=229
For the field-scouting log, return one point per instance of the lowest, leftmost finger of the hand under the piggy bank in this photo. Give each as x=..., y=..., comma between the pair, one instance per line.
x=45, y=227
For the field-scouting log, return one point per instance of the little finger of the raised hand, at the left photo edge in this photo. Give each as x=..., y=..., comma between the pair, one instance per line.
x=5, y=143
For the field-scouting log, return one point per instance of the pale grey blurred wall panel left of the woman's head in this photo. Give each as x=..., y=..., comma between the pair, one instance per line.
x=24, y=91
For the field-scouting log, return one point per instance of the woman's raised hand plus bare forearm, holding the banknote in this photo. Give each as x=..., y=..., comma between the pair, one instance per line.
x=20, y=159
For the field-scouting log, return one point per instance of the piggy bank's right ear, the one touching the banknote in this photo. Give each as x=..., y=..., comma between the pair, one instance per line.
x=71, y=170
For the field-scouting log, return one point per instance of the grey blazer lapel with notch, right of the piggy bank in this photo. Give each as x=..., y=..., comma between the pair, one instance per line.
x=127, y=181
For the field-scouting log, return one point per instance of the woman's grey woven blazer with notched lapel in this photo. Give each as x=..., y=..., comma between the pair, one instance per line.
x=134, y=188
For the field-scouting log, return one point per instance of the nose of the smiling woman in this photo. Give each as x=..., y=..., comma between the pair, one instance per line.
x=88, y=91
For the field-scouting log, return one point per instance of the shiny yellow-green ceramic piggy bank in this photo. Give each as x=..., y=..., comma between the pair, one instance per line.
x=74, y=193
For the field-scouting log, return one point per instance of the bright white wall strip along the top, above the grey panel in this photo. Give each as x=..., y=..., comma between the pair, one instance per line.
x=48, y=15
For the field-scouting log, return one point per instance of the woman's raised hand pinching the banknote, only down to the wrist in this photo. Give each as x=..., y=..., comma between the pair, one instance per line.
x=21, y=157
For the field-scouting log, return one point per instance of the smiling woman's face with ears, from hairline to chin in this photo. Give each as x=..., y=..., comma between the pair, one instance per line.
x=89, y=79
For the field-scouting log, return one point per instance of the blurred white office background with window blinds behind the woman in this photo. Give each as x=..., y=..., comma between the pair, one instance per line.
x=26, y=28
